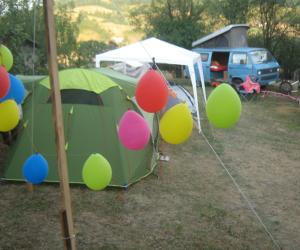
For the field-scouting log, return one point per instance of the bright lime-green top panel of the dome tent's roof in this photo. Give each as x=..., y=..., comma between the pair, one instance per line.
x=82, y=79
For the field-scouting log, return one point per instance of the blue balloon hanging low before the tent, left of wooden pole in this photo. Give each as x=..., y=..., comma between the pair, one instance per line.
x=35, y=169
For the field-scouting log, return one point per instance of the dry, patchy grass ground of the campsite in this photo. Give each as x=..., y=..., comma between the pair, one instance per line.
x=190, y=202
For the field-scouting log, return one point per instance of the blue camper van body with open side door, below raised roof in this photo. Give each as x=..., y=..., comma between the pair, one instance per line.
x=232, y=65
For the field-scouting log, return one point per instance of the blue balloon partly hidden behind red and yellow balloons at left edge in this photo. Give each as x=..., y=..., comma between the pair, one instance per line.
x=16, y=90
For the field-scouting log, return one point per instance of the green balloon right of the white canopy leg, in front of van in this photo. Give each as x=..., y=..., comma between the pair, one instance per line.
x=223, y=107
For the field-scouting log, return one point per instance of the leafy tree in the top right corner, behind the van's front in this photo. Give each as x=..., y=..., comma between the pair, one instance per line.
x=278, y=23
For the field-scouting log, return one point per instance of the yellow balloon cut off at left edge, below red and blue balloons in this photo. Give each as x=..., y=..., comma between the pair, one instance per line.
x=9, y=115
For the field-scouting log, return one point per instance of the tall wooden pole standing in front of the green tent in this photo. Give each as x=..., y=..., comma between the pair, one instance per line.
x=66, y=213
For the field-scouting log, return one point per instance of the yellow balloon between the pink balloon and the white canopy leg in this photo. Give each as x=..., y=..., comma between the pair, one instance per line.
x=176, y=125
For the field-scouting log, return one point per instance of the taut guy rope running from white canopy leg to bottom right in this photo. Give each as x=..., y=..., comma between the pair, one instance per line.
x=242, y=194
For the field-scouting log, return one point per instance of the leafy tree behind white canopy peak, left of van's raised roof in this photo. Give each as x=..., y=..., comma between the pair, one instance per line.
x=176, y=21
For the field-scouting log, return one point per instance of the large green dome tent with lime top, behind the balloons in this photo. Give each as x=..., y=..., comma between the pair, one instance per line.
x=92, y=107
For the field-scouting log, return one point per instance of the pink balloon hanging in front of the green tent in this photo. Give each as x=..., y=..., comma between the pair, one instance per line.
x=134, y=132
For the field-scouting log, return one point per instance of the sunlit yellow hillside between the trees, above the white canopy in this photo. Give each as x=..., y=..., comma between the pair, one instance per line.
x=106, y=20
